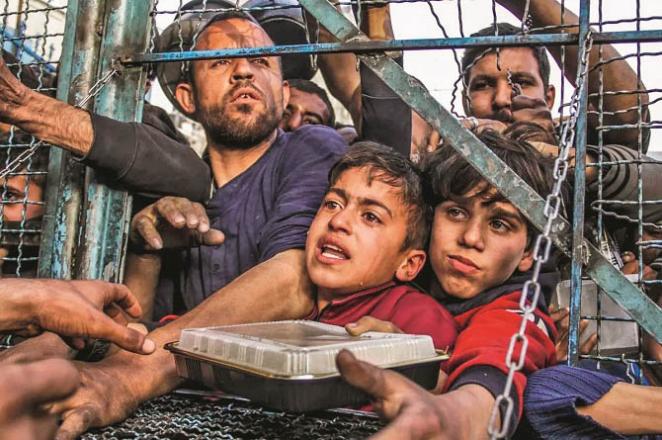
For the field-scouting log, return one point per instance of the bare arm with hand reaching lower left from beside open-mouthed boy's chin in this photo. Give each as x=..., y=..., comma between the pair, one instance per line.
x=276, y=289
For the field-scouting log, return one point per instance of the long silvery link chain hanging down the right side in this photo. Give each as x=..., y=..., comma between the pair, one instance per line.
x=532, y=289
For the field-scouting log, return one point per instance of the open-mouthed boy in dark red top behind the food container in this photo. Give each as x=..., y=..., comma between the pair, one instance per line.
x=367, y=242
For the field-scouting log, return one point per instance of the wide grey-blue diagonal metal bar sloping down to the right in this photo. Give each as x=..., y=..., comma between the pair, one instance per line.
x=628, y=296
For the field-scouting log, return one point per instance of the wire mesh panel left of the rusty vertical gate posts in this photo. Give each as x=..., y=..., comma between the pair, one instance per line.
x=31, y=38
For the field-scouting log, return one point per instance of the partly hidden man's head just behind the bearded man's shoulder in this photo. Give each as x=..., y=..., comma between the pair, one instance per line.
x=308, y=104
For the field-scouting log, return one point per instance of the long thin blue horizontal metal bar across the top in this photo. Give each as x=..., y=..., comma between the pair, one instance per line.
x=367, y=46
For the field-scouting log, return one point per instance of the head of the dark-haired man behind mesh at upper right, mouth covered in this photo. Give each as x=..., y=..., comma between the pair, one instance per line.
x=489, y=86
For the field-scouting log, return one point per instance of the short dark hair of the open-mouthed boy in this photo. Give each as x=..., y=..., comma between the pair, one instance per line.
x=391, y=168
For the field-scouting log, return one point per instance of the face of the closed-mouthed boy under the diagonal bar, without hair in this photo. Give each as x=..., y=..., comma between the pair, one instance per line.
x=477, y=243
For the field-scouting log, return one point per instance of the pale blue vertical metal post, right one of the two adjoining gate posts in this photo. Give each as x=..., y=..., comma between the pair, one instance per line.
x=126, y=30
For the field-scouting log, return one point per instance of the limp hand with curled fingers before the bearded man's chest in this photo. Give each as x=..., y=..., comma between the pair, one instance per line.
x=173, y=222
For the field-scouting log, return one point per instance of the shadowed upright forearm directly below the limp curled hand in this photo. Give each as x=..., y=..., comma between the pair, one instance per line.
x=141, y=276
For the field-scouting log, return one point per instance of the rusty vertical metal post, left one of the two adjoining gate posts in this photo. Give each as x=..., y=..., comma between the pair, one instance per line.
x=66, y=175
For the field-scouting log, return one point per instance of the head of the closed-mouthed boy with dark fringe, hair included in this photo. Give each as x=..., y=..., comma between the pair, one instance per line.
x=479, y=239
